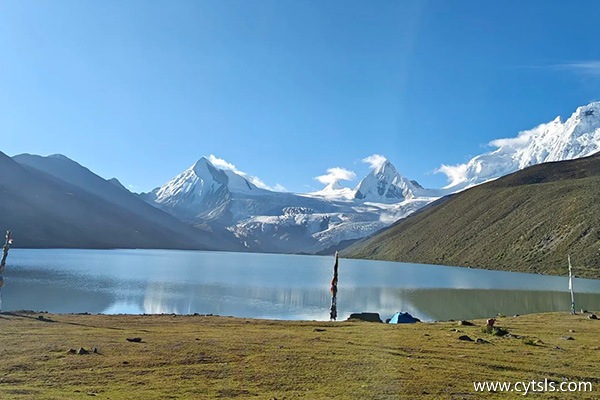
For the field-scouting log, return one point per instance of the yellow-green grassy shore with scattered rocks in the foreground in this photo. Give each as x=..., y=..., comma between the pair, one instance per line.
x=198, y=357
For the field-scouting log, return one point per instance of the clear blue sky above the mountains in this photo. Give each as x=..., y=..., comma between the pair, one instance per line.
x=139, y=90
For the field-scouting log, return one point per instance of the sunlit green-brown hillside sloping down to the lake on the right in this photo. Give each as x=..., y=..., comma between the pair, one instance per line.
x=527, y=221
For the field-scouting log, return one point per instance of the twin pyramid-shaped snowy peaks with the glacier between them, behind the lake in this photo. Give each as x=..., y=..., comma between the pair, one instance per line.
x=216, y=199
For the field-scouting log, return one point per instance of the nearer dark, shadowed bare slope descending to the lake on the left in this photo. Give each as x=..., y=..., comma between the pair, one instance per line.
x=45, y=211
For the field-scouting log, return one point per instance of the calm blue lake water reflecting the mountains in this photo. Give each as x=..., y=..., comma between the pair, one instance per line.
x=271, y=286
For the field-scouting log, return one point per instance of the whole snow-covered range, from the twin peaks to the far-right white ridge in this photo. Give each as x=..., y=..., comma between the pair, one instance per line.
x=219, y=199
